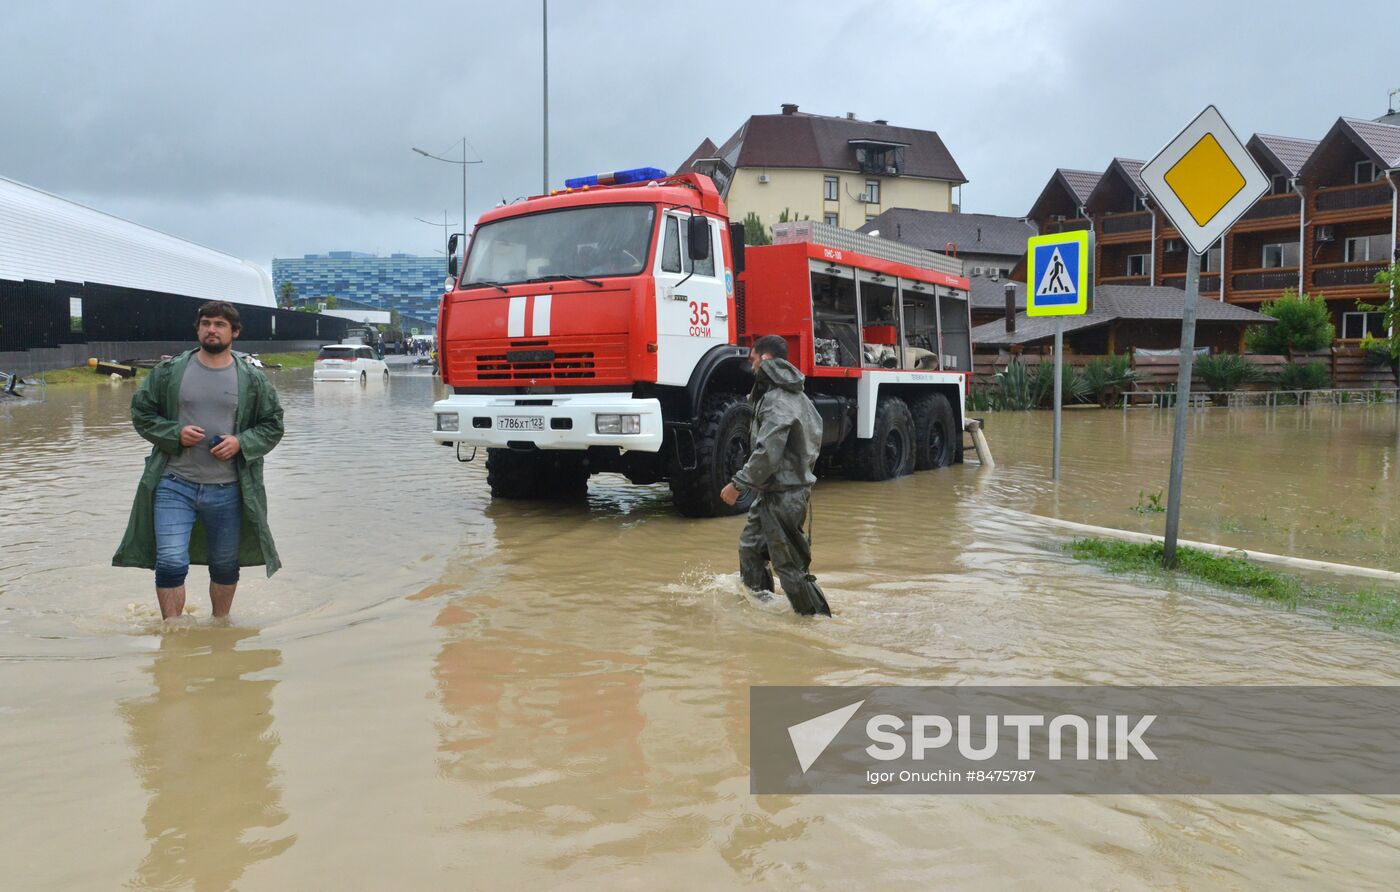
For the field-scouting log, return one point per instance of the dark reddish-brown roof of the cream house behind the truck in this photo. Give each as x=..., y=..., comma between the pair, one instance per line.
x=801, y=141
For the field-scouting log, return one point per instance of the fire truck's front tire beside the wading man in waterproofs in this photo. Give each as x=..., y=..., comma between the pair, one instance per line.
x=722, y=449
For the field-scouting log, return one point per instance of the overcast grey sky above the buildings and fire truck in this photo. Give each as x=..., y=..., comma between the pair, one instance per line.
x=279, y=130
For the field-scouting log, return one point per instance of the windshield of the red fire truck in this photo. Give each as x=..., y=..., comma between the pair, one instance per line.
x=611, y=240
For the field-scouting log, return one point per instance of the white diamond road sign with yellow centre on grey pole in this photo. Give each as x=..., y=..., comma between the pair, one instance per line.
x=1205, y=180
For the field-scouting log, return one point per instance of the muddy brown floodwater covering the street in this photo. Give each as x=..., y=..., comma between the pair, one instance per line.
x=439, y=692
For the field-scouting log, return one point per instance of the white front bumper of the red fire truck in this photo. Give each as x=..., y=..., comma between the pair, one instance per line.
x=569, y=422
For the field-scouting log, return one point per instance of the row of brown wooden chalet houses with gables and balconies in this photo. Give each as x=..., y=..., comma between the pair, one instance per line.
x=1347, y=187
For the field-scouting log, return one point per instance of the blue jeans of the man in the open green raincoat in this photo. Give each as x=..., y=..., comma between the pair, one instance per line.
x=178, y=503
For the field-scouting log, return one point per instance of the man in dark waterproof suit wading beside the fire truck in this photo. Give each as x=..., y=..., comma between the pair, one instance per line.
x=786, y=440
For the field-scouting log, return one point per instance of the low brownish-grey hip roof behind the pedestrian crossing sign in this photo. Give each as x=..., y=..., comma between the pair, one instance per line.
x=1118, y=302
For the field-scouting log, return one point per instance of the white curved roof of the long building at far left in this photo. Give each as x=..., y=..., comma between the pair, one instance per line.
x=48, y=239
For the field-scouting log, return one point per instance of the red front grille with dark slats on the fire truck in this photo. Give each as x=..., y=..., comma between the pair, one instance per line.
x=544, y=361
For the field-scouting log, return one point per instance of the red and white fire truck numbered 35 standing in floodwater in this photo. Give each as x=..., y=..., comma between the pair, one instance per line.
x=604, y=328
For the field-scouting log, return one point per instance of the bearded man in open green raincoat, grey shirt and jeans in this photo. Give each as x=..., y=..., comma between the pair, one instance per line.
x=212, y=418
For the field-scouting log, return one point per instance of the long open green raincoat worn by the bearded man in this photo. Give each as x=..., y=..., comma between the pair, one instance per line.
x=156, y=417
